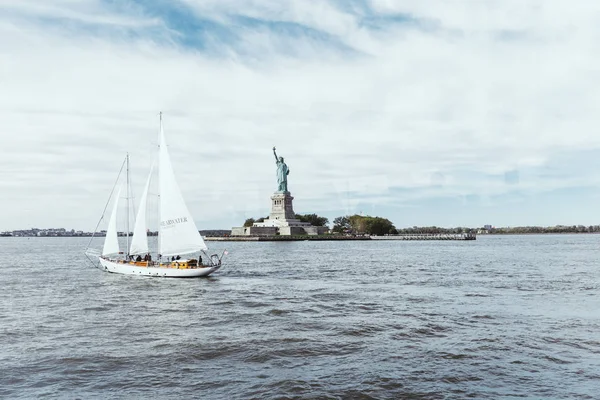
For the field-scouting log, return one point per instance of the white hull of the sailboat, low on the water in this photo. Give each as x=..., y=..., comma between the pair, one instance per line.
x=159, y=271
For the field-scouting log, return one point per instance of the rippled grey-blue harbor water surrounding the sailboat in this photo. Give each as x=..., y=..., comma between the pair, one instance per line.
x=501, y=317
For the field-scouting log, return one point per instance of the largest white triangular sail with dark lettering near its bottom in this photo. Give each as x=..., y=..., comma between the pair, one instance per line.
x=178, y=232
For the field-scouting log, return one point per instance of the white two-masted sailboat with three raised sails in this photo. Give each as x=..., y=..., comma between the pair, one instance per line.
x=178, y=235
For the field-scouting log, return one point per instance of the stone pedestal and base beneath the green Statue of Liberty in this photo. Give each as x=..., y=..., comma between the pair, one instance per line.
x=281, y=221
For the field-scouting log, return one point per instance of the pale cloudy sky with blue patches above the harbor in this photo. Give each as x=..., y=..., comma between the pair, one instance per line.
x=428, y=112
